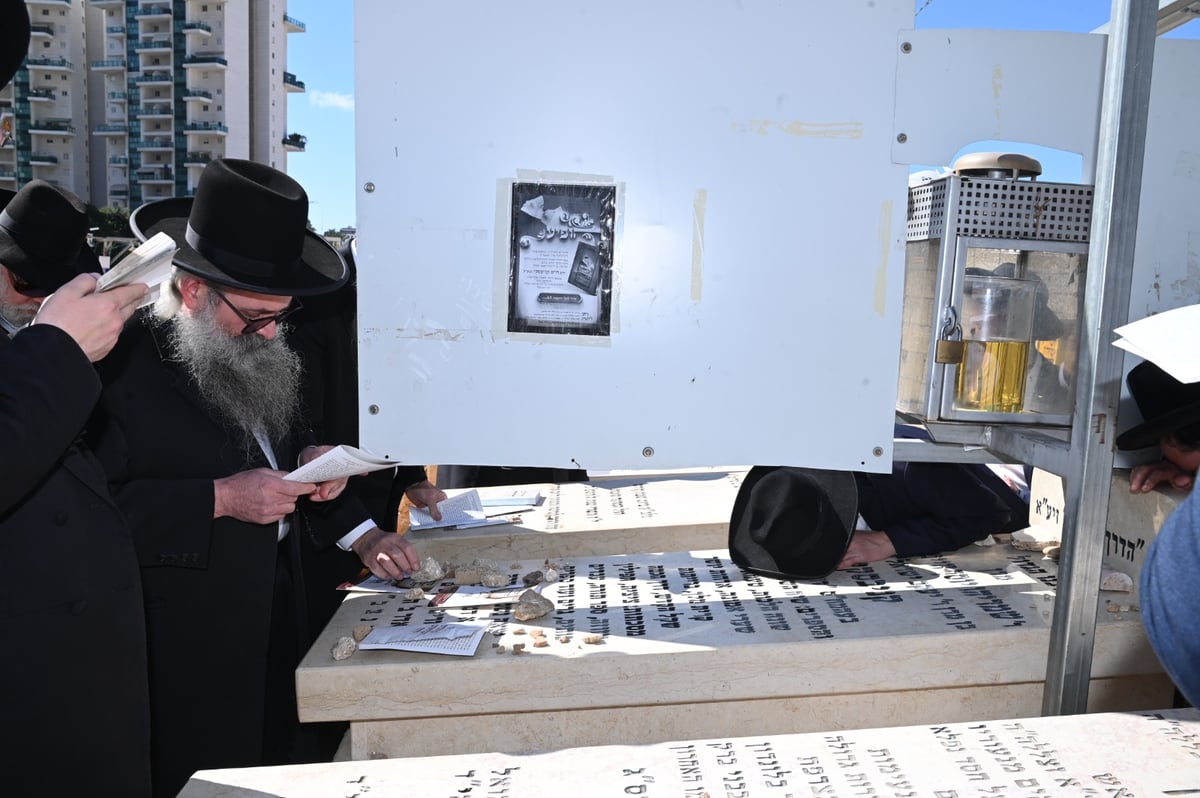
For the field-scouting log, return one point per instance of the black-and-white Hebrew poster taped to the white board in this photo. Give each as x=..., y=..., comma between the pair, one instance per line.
x=561, y=259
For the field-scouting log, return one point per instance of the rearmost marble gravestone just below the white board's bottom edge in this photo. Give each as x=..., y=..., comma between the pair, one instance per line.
x=607, y=515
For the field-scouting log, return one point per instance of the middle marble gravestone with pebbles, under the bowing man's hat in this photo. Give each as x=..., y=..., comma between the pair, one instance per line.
x=682, y=645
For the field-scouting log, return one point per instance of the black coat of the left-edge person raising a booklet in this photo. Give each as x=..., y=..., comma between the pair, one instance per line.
x=74, y=662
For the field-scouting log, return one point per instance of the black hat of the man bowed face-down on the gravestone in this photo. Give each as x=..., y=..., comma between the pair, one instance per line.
x=793, y=524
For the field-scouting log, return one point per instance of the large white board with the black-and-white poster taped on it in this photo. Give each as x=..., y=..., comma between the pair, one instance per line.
x=742, y=214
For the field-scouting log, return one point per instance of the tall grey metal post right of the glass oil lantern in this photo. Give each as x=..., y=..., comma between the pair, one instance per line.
x=1123, y=143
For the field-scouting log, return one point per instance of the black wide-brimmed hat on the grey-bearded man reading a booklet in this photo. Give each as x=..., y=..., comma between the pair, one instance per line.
x=248, y=227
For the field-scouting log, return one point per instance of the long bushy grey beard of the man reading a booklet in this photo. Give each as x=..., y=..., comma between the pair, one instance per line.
x=251, y=382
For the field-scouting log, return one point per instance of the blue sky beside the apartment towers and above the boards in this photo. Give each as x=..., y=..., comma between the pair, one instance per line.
x=323, y=58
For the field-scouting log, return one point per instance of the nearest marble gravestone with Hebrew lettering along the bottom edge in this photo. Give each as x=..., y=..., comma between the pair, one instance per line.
x=1135, y=754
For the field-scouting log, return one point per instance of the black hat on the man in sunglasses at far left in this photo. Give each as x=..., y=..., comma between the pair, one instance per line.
x=44, y=236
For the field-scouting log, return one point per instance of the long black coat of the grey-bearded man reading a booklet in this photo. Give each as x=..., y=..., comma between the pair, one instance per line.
x=220, y=664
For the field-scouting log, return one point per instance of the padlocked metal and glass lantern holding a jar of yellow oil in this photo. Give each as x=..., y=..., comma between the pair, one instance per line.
x=994, y=285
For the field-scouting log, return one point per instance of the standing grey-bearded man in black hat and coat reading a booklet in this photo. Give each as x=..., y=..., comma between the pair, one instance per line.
x=200, y=429
